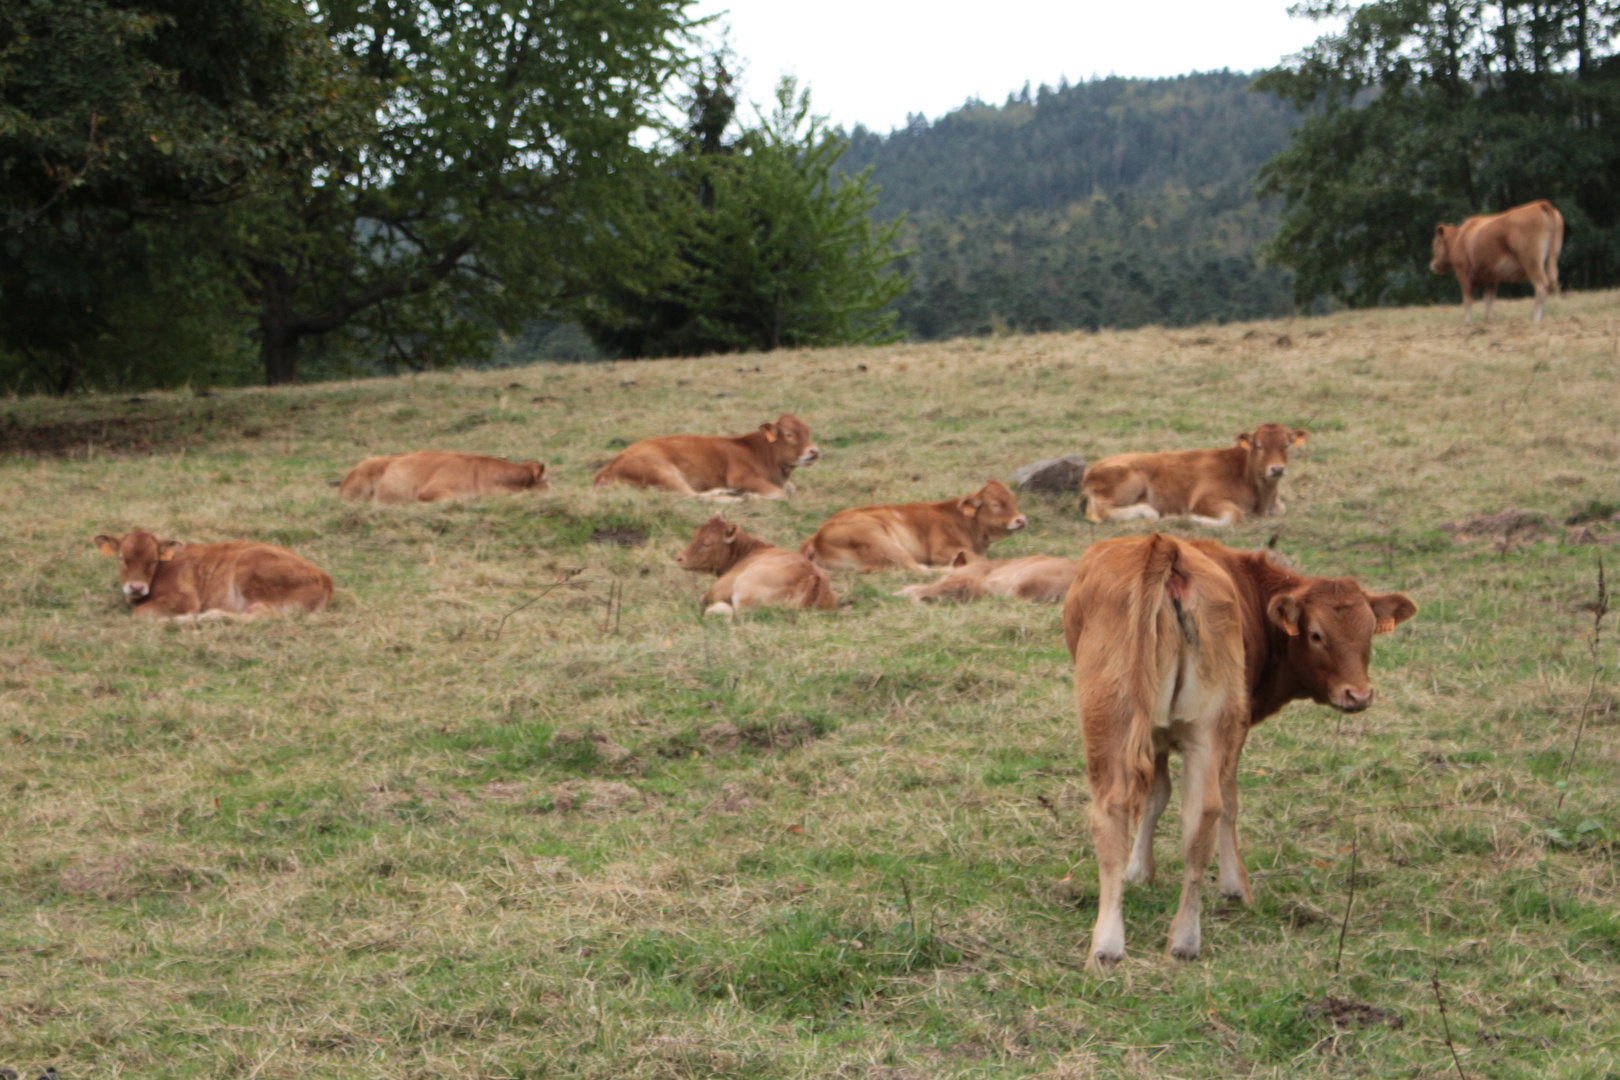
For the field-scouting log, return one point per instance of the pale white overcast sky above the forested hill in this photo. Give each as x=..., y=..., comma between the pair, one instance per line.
x=877, y=61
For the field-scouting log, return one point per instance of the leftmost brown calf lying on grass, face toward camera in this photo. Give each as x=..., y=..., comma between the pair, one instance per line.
x=187, y=582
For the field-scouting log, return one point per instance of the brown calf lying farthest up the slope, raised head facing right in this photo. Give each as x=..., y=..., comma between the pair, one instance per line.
x=718, y=467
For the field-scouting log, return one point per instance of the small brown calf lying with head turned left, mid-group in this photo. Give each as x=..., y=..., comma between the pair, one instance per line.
x=752, y=574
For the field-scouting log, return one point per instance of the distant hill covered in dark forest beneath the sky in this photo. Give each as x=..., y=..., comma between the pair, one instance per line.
x=1107, y=203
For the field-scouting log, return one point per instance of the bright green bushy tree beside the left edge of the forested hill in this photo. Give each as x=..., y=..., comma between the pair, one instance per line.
x=752, y=245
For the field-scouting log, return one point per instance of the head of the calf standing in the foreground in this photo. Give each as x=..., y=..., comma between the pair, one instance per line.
x=1331, y=624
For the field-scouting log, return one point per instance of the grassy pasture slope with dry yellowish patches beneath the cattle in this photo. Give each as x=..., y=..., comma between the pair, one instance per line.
x=464, y=827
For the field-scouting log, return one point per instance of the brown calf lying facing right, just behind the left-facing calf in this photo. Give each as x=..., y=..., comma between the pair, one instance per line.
x=916, y=535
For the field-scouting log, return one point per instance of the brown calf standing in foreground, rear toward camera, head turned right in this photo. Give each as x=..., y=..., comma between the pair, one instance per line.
x=1185, y=645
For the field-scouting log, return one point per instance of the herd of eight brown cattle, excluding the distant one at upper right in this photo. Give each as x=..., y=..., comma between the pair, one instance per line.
x=1179, y=645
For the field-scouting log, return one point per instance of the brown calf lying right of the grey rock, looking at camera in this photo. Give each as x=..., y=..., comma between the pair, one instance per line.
x=1211, y=487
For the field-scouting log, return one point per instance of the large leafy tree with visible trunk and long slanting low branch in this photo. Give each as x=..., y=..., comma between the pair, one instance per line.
x=505, y=129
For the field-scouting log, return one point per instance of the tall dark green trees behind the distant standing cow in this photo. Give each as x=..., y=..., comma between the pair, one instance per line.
x=1430, y=111
